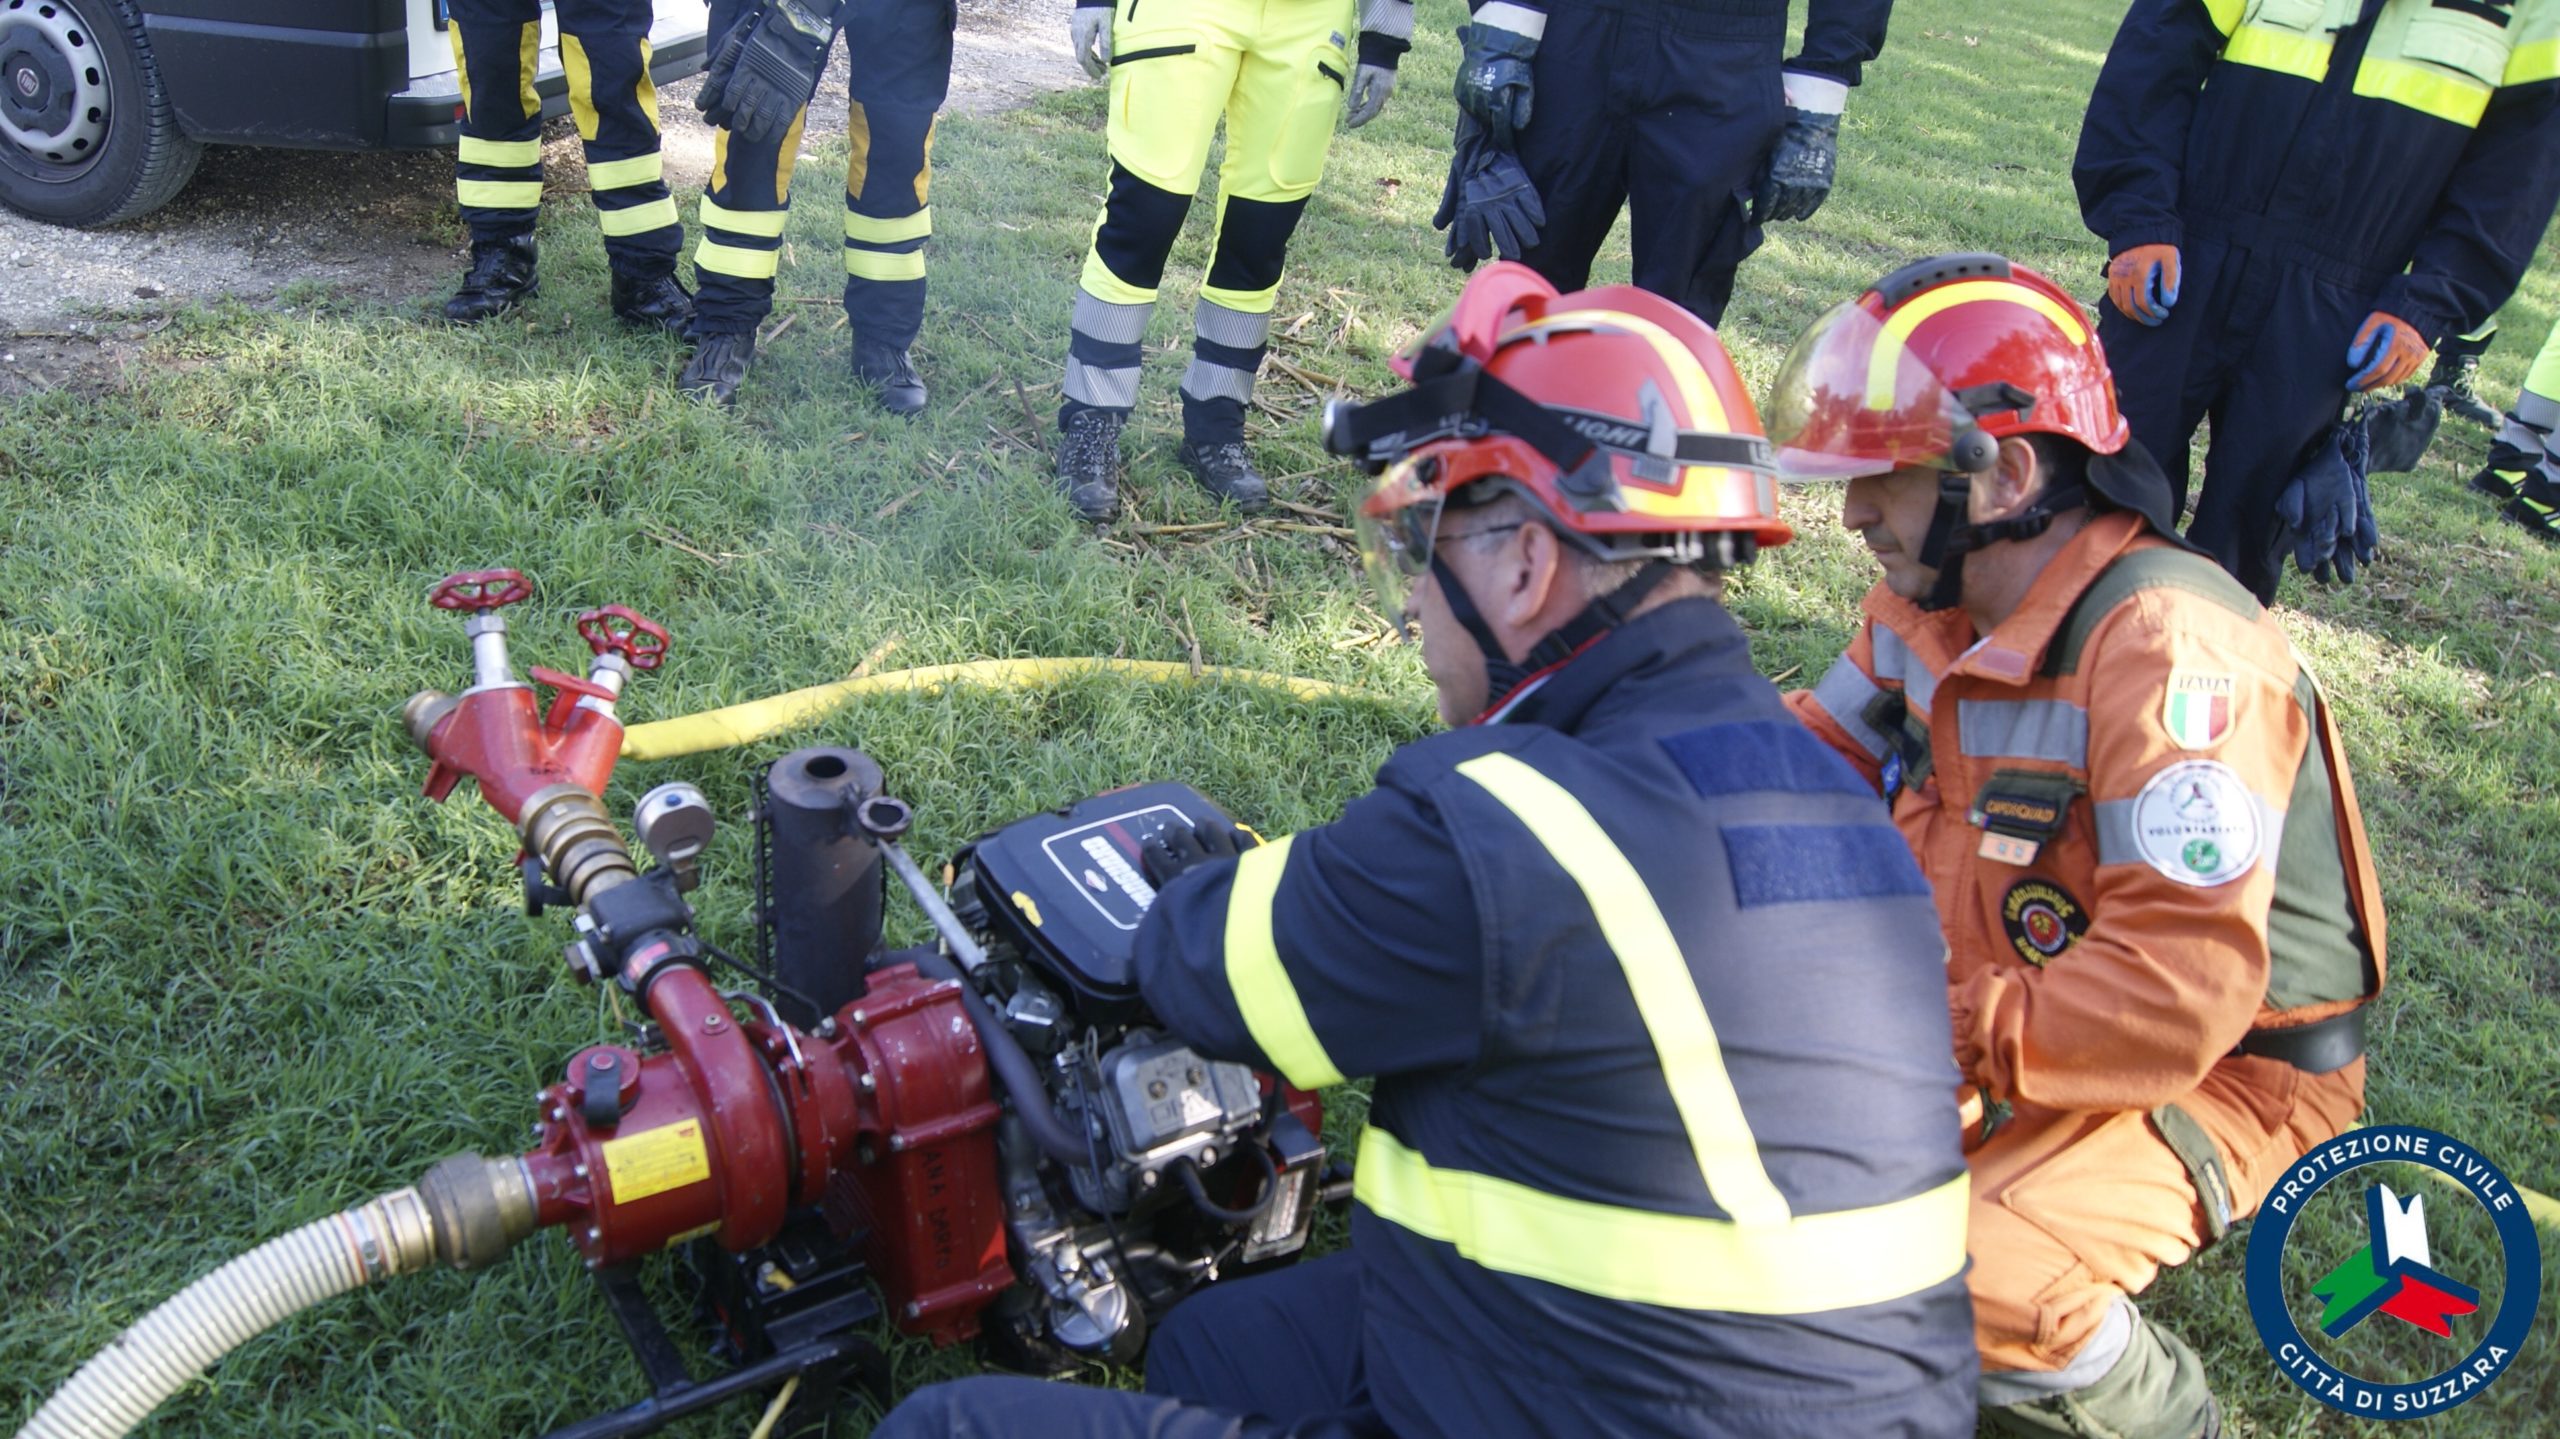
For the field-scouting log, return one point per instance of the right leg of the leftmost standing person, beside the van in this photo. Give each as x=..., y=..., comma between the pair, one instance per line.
x=616, y=109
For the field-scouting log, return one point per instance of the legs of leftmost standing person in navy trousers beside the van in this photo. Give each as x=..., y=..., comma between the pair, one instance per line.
x=498, y=175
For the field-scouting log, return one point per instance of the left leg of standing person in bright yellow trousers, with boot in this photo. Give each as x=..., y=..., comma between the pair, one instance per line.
x=1171, y=78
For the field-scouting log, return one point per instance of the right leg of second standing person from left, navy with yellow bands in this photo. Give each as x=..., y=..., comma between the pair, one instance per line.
x=890, y=173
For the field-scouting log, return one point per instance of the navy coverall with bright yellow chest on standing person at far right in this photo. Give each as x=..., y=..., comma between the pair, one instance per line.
x=2313, y=160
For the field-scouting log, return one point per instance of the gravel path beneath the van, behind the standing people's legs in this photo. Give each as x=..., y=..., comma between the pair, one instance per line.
x=78, y=303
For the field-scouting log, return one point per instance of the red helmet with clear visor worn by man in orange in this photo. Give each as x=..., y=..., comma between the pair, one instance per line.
x=1937, y=365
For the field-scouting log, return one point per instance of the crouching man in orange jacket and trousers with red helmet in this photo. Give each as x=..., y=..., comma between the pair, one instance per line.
x=2134, y=810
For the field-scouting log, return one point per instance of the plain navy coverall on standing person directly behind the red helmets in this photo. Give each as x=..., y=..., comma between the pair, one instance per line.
x=1670, y=109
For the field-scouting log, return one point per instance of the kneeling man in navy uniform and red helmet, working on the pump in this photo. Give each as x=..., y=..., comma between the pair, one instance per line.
x=1663, y=1136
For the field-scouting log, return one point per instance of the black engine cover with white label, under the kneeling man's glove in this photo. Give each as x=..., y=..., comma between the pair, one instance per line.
x=1069, y=887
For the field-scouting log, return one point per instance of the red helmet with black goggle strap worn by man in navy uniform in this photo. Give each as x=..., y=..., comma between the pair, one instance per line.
x=1612, y=411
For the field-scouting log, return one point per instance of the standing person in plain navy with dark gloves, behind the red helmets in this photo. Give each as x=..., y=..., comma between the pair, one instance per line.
x=1676, y=109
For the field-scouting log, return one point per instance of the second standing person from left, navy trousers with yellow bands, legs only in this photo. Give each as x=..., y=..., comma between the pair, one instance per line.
x=767, y=63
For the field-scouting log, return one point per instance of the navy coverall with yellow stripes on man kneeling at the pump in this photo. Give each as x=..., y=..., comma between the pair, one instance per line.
x=1663, y=1136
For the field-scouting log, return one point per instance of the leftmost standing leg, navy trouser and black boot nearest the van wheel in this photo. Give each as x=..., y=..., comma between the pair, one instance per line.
x=498, y=173
